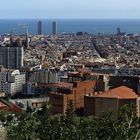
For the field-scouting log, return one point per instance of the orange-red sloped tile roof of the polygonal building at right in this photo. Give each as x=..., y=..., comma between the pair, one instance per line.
x=121, y=92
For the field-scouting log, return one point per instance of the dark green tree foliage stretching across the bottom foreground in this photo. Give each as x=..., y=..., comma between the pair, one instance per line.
x=41, y=126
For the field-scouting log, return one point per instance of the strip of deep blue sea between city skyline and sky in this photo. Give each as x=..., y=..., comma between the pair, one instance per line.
x=93, y=26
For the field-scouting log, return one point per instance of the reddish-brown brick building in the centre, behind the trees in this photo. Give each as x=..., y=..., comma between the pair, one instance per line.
x=70, y=91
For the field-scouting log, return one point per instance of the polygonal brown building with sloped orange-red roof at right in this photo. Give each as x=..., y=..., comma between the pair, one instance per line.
x=109, y=101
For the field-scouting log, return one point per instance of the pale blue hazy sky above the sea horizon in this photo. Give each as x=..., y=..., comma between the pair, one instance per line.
x=69, y=9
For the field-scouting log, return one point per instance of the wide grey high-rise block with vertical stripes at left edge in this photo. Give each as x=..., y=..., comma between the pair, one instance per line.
x=11, y=57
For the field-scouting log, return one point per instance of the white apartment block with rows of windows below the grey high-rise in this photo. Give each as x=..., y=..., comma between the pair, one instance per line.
x=11, y=81
